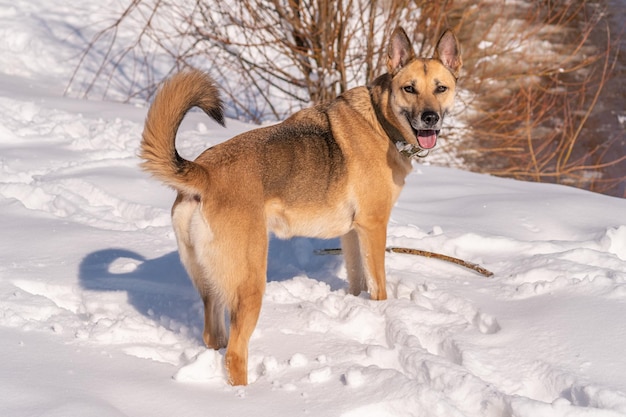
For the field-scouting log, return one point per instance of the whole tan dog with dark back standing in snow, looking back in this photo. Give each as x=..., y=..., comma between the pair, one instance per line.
x=333, y=170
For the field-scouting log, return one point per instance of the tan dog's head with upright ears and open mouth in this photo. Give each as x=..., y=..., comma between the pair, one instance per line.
x=422, y=90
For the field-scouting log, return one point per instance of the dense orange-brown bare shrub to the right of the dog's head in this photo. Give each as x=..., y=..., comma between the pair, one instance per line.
x=536, y=82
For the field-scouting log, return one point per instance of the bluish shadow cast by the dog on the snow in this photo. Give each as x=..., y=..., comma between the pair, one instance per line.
x=160, y=288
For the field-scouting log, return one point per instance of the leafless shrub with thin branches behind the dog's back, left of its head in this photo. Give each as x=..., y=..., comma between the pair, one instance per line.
x=272, y=57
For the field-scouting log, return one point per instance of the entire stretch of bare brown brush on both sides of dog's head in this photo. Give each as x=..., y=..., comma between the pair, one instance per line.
x=531, y=82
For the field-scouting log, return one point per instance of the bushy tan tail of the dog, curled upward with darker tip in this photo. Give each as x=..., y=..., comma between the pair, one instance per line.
x=176, y=96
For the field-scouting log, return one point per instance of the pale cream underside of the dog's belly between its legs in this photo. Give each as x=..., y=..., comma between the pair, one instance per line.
x=319, y=222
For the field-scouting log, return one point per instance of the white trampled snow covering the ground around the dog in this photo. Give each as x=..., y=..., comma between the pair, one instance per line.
x=97, y=316
